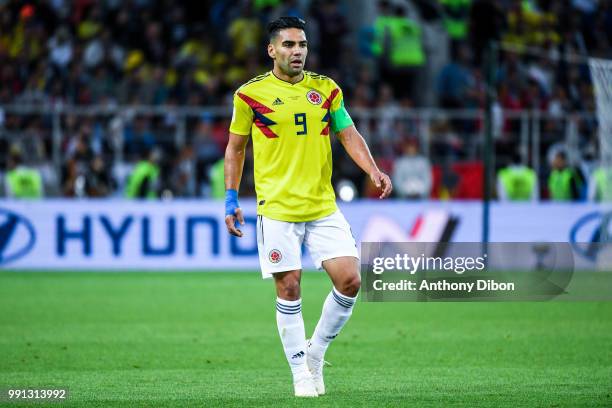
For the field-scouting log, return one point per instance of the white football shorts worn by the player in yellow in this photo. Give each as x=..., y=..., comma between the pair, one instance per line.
x=280, y=243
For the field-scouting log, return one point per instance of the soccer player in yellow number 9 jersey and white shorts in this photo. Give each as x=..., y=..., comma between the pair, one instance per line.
x=290, y=114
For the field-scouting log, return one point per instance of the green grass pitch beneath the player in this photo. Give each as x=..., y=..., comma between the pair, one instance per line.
x=210, y=339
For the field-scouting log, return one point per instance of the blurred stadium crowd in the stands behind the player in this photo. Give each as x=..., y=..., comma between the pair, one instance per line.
x=413, y=54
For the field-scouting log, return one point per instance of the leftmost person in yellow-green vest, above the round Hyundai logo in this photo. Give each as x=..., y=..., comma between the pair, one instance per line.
x=22, y=181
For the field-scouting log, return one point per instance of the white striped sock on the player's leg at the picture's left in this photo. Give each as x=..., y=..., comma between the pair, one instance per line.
x=291, y=330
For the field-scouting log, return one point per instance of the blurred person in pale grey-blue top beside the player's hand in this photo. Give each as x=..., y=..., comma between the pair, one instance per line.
x=412, y=173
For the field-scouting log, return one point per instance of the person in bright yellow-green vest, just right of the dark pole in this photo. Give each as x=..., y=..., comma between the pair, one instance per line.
x=517, y=182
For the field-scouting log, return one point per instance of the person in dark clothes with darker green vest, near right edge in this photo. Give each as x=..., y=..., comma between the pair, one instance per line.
x=564, y=183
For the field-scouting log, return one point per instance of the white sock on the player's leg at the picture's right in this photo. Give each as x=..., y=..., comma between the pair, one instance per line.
x=336, y=311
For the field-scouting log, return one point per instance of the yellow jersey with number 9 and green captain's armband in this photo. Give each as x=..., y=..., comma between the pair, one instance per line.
x=290, y=125
